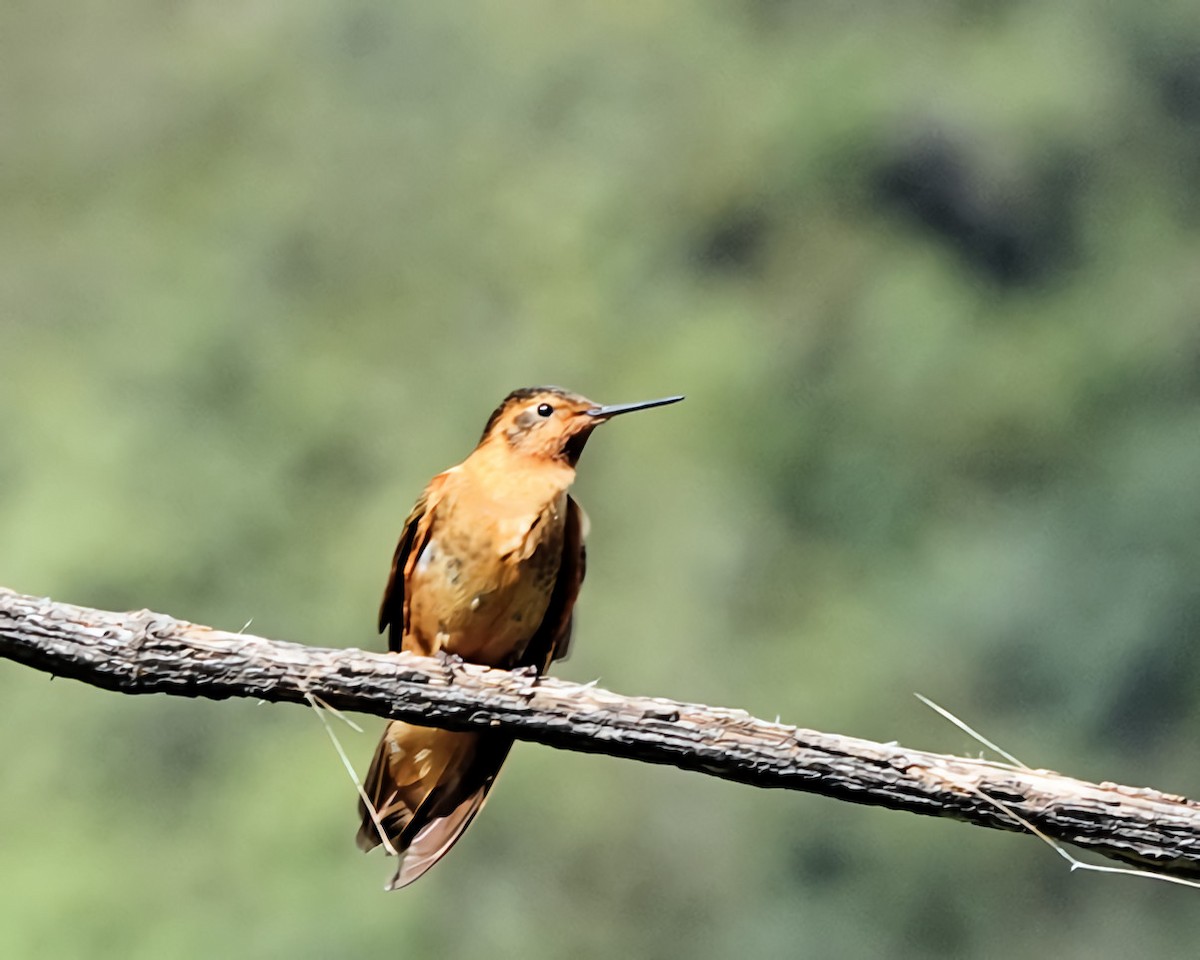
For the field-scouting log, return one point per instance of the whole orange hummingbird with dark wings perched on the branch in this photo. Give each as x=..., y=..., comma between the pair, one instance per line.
x=488, y=569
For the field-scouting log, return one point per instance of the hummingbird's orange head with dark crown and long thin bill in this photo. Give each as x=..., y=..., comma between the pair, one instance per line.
x=554, y=424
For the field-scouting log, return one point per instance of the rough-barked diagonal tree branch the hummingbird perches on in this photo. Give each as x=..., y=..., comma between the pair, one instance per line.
x=152, y=653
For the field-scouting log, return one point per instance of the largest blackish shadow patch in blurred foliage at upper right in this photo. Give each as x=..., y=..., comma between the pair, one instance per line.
x=1015, y=232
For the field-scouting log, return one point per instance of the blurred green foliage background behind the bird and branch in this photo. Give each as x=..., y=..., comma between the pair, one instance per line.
x=929, y=275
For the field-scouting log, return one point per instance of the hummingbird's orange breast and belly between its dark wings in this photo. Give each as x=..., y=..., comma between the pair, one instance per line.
x=483, y=584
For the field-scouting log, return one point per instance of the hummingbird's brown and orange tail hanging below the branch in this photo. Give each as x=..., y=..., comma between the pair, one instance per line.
x=427, y=787
